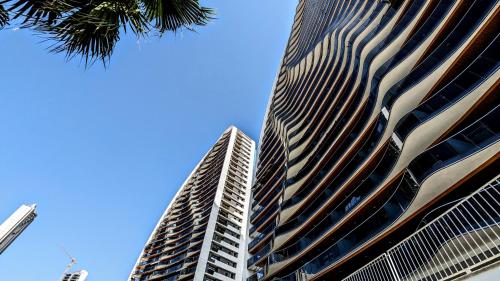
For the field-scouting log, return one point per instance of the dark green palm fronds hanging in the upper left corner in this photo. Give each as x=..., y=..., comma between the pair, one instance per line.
x=91, y=28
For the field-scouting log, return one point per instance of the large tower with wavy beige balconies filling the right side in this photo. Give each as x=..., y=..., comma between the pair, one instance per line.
x=379, y=153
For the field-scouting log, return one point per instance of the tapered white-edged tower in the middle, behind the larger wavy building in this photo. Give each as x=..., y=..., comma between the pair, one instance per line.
x=202, y=234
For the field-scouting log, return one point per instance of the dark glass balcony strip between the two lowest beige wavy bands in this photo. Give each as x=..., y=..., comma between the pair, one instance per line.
x=470, y=140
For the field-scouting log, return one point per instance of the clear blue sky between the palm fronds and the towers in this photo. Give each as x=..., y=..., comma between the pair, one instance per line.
x=102, y=152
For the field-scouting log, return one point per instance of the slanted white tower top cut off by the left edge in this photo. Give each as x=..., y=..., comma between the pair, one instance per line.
x=15, y=225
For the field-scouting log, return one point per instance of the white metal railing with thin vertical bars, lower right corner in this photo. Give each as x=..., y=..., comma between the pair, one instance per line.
x=452, y=245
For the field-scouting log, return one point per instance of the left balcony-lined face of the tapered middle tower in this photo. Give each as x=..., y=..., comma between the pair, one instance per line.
x=175, y=244
